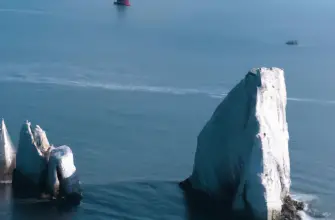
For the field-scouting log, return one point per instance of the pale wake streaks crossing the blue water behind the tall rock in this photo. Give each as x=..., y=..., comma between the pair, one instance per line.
x=58, y=74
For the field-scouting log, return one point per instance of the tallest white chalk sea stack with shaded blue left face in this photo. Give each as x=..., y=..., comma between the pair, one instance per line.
x=242, y=152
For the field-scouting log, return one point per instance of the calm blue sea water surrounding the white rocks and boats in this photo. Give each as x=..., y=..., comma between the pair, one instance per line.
x=130, y=89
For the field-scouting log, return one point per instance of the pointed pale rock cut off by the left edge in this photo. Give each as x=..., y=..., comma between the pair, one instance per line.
x=7, y=154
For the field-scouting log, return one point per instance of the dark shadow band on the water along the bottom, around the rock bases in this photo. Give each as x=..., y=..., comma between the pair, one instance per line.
x=122, y=200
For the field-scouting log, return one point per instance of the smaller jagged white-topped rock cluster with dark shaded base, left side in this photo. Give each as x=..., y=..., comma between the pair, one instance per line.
x=43, y=170
